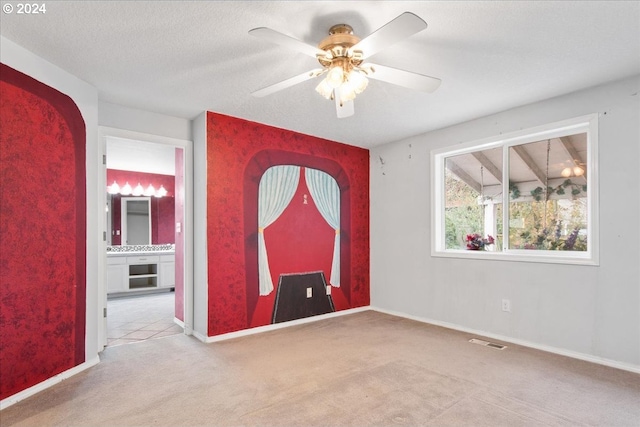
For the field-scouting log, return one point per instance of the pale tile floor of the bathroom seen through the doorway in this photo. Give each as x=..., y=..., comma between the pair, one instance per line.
x=141, y=317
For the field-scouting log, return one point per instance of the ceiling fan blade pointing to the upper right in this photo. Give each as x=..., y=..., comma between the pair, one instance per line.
x=399, y=28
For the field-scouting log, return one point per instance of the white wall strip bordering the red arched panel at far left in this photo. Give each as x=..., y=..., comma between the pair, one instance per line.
x=86, y=98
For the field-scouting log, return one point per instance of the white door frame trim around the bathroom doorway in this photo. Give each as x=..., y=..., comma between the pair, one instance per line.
x=105, y=132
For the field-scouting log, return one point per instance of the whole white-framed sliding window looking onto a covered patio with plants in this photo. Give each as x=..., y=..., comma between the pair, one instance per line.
x=547, y=176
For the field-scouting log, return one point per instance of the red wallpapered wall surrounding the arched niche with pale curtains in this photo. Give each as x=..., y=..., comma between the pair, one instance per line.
x=239, y=152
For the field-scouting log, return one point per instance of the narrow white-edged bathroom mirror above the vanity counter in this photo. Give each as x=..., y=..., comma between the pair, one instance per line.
x=136, y=220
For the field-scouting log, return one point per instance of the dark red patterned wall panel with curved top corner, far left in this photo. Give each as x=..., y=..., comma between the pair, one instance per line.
x=43, y=229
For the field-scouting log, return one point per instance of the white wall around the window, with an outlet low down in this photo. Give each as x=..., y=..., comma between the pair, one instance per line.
x=587, y=311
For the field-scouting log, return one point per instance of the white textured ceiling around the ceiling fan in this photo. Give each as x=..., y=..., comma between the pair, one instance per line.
x=182, y=58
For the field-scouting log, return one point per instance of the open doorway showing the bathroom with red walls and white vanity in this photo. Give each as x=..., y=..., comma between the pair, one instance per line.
x=148, y=290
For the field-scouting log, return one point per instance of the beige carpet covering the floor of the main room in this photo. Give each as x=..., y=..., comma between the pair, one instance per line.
x=363, y=369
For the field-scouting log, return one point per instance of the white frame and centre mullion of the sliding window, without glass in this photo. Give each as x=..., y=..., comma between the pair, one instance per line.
x=588, y=124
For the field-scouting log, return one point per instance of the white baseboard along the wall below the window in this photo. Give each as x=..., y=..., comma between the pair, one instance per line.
x=549, y=349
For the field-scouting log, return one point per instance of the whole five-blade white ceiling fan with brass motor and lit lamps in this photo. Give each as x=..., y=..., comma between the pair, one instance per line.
x=342, y=57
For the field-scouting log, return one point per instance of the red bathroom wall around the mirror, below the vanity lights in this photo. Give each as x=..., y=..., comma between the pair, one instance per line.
x=162, y=209
